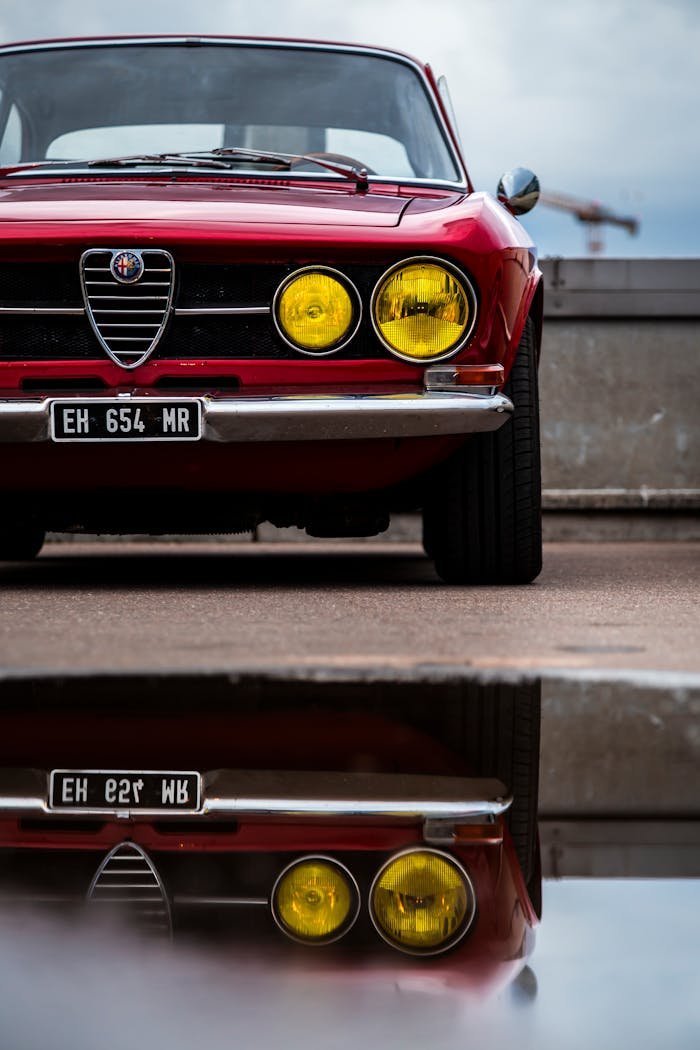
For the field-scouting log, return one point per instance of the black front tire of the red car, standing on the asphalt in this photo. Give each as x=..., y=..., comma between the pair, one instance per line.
x=482, y=519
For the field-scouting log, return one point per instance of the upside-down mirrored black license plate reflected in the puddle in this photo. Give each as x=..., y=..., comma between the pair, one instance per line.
x=123, y=790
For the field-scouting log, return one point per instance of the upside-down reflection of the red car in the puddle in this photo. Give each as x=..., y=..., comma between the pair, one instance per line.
x=286, y=811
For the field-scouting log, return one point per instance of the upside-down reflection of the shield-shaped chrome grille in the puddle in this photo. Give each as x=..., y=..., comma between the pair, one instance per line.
x=128, y=881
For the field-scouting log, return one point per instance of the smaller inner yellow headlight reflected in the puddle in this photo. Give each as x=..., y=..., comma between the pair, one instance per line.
x=315, y=900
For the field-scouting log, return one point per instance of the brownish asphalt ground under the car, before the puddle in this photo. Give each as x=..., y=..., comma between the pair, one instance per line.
x=158, y=606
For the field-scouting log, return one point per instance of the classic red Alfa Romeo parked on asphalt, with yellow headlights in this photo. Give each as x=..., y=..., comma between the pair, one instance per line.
x=248, y=281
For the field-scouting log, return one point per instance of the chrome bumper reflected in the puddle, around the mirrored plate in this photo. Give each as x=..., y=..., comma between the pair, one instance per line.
x=229, y=794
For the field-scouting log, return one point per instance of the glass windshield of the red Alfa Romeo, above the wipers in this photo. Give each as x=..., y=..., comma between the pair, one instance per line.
x=96, y=101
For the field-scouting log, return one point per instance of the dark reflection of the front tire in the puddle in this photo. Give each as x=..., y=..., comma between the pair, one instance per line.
x=502, y=738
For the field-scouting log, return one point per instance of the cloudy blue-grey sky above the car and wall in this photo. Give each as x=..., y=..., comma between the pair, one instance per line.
x=600, y=98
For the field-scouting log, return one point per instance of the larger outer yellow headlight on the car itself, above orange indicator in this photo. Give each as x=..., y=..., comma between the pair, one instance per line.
x=422, y=311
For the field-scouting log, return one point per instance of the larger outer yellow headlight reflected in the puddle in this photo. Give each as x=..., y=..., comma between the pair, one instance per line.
x=422, y=902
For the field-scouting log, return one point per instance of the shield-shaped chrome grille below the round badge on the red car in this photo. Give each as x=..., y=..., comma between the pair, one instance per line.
x=129, y=320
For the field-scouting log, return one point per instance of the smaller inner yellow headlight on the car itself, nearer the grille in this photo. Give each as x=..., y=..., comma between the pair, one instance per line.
x=316, y=312
